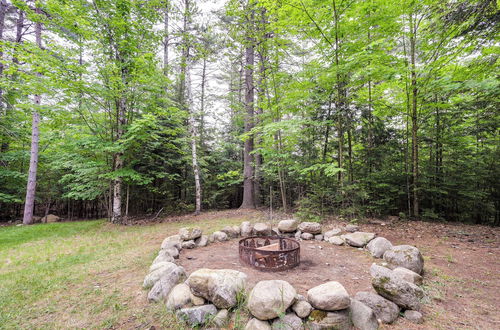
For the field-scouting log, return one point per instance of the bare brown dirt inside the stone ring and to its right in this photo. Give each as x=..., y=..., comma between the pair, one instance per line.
x=462, y=269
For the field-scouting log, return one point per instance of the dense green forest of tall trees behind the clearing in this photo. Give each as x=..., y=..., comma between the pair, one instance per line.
x=355, y=108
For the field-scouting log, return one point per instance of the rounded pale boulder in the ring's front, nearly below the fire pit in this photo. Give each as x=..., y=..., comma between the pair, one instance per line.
x=269, y=299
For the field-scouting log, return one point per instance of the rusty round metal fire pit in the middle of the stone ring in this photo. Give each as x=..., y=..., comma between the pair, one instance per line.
x=269, y=253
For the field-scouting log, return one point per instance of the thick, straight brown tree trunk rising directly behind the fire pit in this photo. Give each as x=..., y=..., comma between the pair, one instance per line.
x=248, y=169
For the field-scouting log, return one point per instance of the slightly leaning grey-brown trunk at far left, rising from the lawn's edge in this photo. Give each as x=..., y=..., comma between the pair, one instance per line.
x=31, y=186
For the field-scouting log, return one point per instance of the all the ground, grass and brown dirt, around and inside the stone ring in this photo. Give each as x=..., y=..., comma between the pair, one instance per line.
x=89, y=274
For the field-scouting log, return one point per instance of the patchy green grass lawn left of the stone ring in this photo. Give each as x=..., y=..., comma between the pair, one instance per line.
x=85, y=274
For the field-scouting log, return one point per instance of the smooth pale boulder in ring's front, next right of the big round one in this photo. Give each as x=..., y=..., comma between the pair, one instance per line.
x=329, y=296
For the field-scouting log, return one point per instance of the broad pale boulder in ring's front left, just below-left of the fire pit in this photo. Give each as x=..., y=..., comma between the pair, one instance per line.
x=220, y=286
